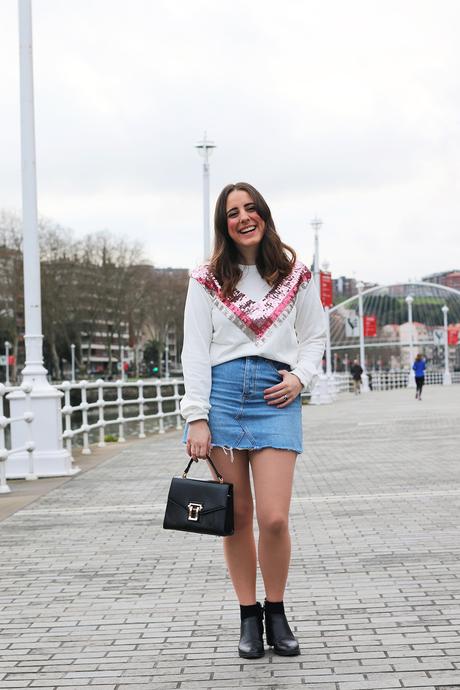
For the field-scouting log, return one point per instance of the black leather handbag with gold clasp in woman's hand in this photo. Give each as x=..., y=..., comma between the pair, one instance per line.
x=204, y=506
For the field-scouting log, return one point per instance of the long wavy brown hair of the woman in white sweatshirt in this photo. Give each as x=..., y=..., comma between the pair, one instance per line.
x=275, y=259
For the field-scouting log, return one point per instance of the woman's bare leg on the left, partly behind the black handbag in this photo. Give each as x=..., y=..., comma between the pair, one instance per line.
x=240, y=548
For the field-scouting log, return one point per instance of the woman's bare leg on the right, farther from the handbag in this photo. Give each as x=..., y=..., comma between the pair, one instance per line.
x=273, y=473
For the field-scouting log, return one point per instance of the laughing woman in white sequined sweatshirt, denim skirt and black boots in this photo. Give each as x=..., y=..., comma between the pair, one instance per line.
x=254, y=335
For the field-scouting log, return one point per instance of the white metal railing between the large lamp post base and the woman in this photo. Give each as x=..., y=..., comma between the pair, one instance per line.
x=103, y=404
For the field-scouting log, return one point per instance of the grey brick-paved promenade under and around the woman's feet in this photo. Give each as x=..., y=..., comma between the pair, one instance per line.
x=93, y=593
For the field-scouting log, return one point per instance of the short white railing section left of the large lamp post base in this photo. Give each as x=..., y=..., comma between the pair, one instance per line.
x=6, y=421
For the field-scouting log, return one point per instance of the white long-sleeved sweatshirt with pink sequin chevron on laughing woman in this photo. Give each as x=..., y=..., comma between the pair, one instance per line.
x=285, y=324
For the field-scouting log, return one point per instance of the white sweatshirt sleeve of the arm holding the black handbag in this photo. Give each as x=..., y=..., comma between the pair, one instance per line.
x=196, y=361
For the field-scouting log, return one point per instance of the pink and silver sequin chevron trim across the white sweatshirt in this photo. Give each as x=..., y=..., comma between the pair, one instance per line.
x=256, y=318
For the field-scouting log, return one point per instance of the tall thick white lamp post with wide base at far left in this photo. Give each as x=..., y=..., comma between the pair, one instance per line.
x=50, y=458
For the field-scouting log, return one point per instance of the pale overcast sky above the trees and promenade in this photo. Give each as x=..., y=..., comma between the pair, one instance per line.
x=345, y=110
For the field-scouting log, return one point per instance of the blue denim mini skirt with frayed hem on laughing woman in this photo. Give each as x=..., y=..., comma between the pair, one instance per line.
x=240, y=418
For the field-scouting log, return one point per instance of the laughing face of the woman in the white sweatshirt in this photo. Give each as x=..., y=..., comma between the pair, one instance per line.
x=245, y=227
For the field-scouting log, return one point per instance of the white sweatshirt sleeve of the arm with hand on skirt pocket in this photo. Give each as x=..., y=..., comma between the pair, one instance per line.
x=310, y=326
